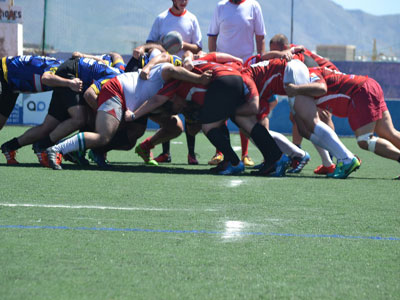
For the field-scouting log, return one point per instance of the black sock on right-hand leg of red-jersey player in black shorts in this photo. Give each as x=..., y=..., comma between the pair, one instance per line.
x=265, y=143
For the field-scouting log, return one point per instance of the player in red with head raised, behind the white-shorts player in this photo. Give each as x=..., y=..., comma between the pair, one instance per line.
x=280, y=48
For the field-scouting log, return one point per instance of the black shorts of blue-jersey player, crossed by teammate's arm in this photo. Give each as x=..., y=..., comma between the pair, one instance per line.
x=63, y=98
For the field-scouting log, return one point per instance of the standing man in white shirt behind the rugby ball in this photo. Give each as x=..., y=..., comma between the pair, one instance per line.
x=178, y=18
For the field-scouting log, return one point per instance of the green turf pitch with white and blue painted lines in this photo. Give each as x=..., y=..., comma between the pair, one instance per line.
x=177, y=232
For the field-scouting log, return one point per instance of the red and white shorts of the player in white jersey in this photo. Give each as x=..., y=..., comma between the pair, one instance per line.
x=111, y=99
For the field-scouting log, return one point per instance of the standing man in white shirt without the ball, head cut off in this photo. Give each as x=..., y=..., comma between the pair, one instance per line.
x=233, y=28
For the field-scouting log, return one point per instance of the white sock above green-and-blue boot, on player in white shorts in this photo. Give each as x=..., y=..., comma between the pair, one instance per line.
x=326, y=138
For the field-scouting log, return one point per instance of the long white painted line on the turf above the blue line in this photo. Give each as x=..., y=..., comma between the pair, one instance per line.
x=97, y=207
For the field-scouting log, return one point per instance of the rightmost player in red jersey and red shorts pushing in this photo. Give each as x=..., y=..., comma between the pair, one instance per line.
x=361, y=100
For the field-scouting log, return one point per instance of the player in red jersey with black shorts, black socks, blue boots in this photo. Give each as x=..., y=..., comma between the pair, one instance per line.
x=223, y=98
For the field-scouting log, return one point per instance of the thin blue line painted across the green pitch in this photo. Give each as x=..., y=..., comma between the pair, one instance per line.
x=335, y=236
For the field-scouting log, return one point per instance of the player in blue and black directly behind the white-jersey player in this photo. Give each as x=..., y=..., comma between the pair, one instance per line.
x=67, y=111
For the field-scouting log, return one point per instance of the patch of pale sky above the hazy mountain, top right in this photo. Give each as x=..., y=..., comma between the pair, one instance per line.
x=374, y=7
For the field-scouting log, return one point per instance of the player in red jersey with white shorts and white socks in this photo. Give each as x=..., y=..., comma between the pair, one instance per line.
x=273, y=77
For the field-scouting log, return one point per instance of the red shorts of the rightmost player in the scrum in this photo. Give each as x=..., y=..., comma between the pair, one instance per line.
x=367, y=105
